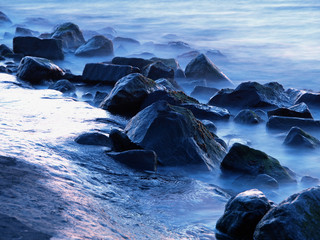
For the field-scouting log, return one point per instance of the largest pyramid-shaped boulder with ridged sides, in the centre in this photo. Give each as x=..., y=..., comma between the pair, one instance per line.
x=175, y=135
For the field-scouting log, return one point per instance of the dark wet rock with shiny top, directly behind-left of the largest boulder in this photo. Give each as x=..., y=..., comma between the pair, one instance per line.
x=128, y=94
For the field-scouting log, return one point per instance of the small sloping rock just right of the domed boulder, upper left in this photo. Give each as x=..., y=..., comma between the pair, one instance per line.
x=96, y=46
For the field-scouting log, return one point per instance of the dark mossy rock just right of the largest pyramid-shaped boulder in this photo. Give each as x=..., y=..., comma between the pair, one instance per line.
x=242, y=159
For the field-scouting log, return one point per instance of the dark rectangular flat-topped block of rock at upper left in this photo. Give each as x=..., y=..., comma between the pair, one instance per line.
x=32, y=46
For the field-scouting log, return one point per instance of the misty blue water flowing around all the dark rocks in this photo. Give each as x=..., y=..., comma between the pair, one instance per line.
x=98, y=198
